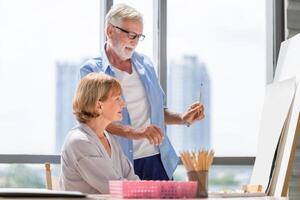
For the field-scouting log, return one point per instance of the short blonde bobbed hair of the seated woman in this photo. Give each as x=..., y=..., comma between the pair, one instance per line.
x=92, y=88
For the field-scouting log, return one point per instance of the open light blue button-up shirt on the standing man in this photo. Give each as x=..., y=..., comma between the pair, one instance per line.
x=156, y=99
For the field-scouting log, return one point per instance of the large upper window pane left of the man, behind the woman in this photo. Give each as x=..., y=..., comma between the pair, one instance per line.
x=42, y=45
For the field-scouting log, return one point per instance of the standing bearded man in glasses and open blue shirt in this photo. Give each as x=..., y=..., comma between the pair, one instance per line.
x=142, y=130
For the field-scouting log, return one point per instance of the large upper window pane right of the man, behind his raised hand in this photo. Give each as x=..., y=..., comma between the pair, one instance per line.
x=217, y=48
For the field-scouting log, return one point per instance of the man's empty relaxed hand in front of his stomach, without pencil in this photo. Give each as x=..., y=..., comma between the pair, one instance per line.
x=151, y=132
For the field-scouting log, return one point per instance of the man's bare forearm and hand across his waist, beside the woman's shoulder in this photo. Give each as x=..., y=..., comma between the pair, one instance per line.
x=151, y=132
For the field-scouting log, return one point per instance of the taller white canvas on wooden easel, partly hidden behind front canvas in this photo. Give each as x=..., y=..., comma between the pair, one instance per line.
x=288, y=66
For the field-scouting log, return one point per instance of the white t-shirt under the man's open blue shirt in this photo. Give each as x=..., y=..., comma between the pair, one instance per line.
x=138, y=108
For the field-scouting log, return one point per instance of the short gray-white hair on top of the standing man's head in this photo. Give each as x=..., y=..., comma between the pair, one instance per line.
x=120, y=12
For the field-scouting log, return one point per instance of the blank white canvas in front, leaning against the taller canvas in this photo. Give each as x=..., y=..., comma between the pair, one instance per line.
x=278, y=99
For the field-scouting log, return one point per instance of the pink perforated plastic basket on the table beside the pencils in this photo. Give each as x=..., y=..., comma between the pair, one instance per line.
x=153, y=189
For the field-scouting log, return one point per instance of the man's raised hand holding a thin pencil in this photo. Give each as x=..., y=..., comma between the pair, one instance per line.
x=195, y=112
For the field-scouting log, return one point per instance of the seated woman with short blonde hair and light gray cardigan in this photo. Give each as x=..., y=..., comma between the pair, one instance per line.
x=90, y=155
